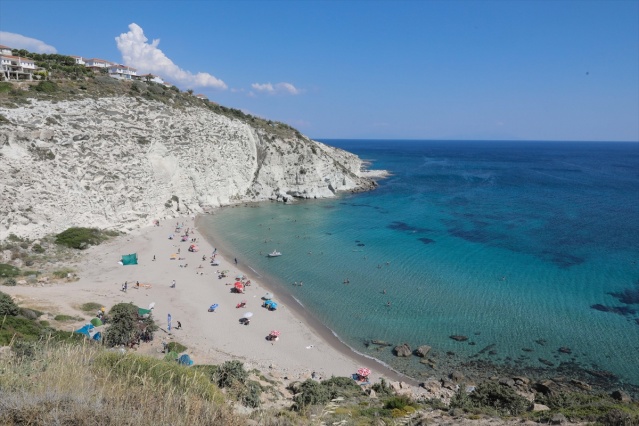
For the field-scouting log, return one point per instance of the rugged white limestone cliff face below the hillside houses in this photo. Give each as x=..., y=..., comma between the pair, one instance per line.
x=121, y=162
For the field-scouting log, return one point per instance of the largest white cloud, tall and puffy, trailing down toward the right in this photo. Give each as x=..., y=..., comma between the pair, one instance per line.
x=147, y=57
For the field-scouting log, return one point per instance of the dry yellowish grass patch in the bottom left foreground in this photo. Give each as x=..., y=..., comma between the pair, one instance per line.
x=88, y=385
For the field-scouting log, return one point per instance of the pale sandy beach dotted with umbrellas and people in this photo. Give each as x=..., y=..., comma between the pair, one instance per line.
x=211, y=337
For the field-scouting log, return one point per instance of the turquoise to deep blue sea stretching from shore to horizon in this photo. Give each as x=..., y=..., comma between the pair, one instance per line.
x=500, y=255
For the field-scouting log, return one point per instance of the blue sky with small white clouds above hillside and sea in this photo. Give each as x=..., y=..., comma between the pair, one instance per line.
x=532, y=70
